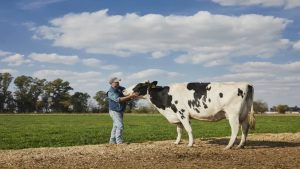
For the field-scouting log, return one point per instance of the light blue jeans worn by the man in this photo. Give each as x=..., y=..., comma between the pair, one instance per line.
x=116, y=136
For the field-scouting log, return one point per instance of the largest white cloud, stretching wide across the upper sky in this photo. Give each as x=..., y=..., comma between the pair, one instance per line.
x=198, y=37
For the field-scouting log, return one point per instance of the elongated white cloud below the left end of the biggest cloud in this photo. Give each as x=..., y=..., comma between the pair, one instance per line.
x=54, y=58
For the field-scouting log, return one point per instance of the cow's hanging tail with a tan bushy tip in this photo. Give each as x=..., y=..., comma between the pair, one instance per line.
x=247, y=108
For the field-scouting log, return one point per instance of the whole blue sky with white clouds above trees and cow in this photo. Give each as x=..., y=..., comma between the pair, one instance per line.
x=171, y=41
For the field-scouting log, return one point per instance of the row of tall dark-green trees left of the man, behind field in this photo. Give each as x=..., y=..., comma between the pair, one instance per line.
x=39, y=95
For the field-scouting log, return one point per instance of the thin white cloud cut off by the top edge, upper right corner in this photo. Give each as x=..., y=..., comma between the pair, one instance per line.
x=266, y=3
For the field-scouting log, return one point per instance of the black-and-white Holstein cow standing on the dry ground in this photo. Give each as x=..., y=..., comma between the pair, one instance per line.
x=203, y=101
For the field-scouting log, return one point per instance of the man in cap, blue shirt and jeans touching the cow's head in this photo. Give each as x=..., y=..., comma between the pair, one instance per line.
x=117, y=104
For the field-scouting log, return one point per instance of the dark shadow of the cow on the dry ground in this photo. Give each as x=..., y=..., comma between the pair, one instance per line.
x=253, y=144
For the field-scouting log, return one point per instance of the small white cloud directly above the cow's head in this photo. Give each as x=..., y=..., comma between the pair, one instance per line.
x=153, y=73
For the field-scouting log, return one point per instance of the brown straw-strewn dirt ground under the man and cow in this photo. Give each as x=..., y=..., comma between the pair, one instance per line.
x=263, y=151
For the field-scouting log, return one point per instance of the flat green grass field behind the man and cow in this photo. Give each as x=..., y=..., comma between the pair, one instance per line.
x=24, y=131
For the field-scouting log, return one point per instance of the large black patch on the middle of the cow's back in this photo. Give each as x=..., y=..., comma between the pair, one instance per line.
x=200, y=92
